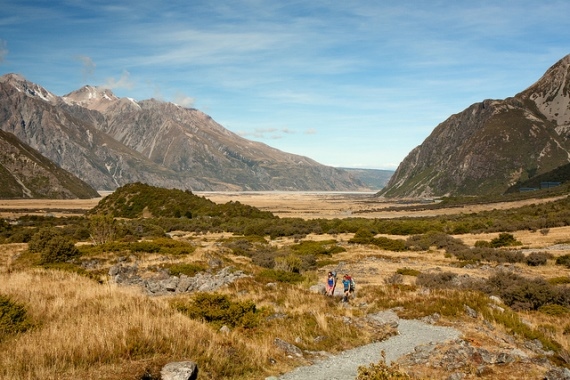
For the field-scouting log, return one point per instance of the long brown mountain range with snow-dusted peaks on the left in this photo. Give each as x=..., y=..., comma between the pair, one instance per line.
x=109, y=141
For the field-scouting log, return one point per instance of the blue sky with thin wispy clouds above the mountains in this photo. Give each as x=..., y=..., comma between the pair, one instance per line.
x=351, y=83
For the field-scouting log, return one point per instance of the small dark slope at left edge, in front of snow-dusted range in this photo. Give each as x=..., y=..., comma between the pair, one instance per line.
x=25, y=173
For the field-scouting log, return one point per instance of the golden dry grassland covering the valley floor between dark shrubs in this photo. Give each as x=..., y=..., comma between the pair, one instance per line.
x=87, y=327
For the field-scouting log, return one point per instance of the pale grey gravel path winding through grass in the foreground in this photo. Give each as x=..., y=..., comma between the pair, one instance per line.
x=412, y=333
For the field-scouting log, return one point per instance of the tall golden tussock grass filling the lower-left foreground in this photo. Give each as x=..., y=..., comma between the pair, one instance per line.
x=81, y=325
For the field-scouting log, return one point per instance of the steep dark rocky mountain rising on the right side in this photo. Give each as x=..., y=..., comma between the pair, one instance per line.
x=492, y=145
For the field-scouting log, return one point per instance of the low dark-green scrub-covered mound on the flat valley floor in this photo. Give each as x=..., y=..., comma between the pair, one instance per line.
x=137, y=200
